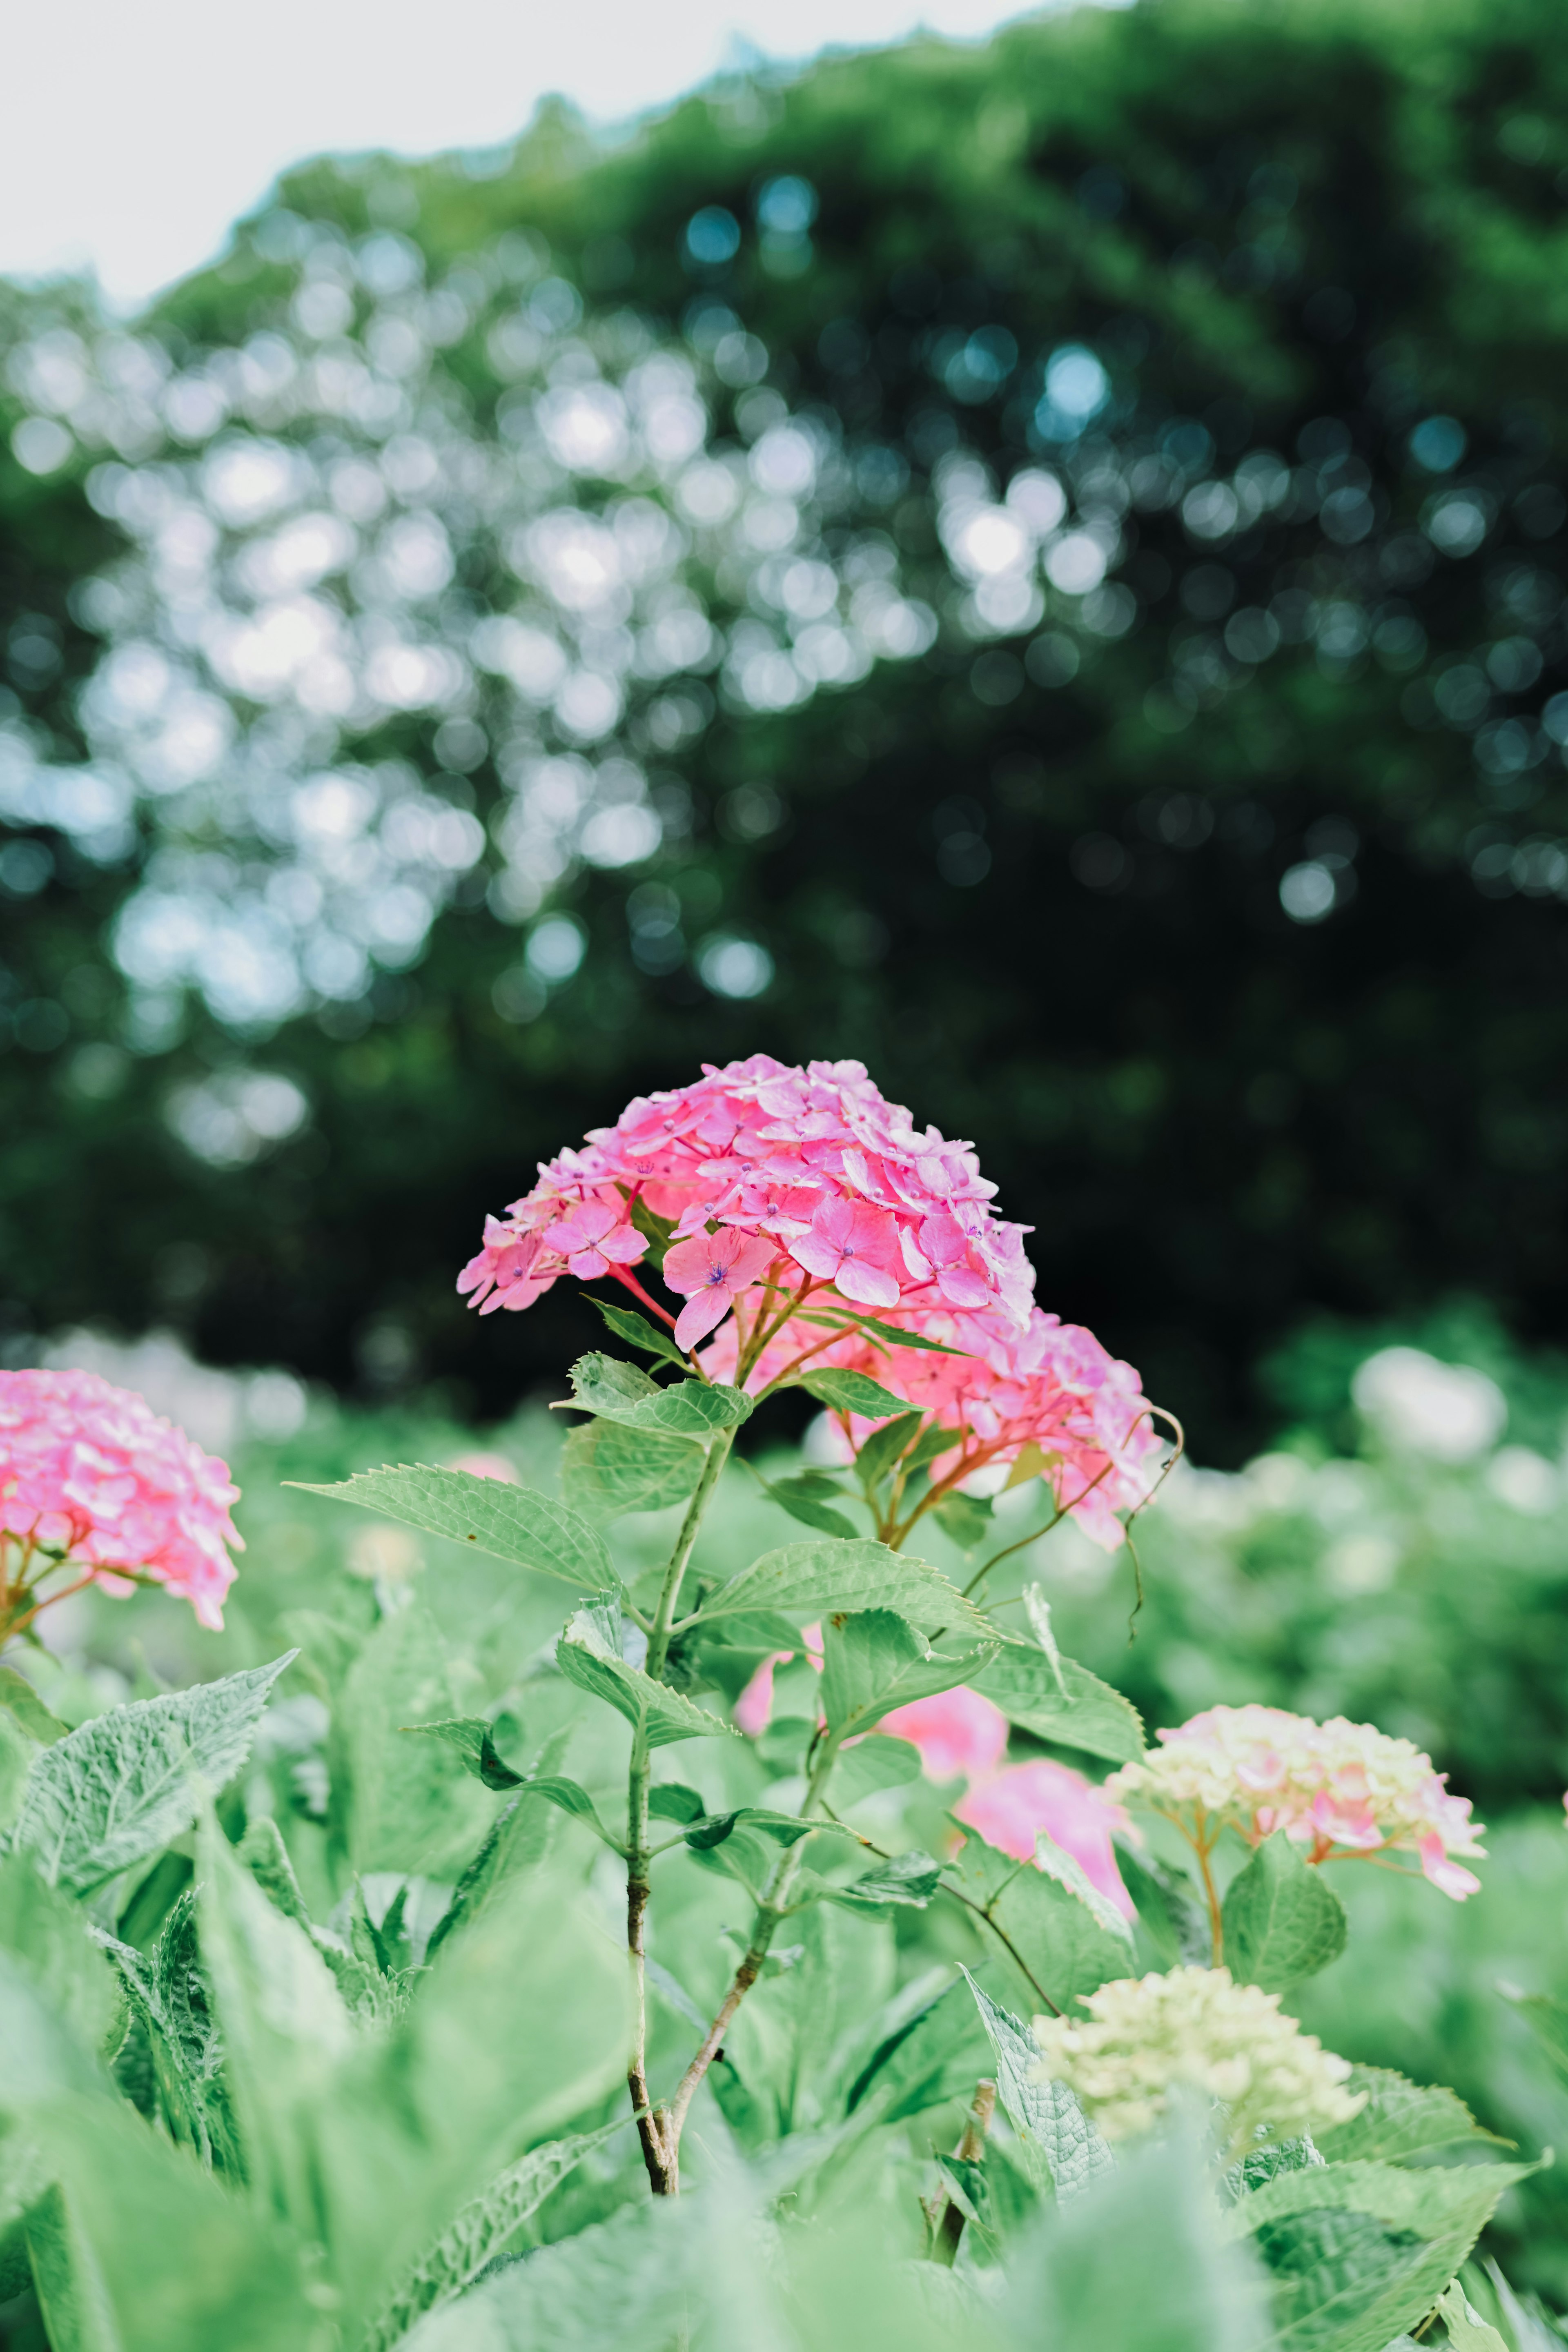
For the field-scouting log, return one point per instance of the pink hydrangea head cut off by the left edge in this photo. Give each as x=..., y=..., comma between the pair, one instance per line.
x=93, y=1474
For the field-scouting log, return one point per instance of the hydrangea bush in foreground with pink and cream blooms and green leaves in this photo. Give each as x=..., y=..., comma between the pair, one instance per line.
x=314, y=2029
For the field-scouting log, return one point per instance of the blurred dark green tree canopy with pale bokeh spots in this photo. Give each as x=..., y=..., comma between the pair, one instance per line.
x=1033, y=566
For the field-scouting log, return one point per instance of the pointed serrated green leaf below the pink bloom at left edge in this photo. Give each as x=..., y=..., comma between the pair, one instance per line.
x=128, y=1782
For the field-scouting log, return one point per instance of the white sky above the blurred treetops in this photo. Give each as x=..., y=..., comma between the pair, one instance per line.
x=133, y=135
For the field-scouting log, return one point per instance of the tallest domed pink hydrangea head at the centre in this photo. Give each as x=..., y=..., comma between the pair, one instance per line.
x=819, y=1180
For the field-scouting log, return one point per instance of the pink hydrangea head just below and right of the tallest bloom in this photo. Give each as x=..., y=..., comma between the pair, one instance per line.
x=1047, y=1387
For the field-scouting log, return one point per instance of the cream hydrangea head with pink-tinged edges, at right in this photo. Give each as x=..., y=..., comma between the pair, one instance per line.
x=1336, y=1789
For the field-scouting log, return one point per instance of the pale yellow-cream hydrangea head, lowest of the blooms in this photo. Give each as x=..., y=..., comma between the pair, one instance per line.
x=1195, y=2026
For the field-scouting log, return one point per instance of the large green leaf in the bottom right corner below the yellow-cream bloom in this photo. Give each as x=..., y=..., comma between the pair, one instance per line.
x=1362, y=2252
